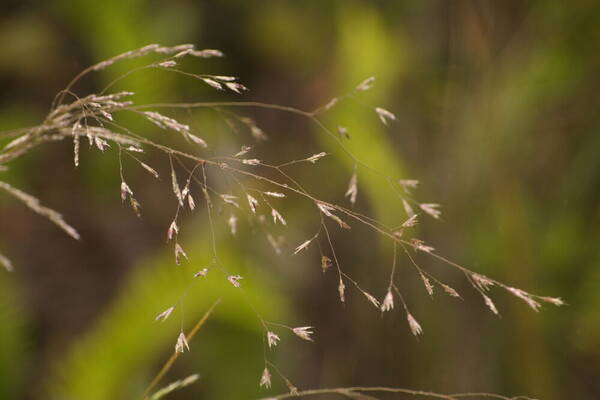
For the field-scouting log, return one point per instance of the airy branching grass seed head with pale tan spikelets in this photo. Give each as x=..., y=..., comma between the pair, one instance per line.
x=257, y=185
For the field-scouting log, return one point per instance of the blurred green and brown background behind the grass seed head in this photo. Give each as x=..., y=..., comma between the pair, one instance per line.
x=497, y=106
